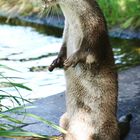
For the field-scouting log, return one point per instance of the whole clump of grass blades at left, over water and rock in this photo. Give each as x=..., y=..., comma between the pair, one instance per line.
x=10, y=126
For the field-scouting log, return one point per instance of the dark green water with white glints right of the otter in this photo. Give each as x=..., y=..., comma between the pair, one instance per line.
x=127, y=52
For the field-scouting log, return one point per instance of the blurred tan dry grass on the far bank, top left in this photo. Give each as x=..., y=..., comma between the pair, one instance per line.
x=19, y=7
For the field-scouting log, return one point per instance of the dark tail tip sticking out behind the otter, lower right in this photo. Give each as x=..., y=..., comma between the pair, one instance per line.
x=124, y=125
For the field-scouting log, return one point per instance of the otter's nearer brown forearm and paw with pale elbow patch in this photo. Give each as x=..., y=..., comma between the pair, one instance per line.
x=79, y=56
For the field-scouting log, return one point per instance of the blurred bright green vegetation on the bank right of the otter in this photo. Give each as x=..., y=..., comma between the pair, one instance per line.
x=122, y=12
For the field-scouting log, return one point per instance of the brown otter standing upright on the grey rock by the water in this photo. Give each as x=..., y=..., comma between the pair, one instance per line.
x=91, y=78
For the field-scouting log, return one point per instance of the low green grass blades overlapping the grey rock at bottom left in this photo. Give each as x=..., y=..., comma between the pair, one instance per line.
x=9, y=130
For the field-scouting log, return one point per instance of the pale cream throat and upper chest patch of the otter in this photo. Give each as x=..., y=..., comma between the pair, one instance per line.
x=74, y=34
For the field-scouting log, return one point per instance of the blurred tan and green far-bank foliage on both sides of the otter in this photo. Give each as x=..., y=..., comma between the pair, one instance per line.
x=125, y=13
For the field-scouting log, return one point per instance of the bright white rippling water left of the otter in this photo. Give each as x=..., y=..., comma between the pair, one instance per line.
x=17, y=43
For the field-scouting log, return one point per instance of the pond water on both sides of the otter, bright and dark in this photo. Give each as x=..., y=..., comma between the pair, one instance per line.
x=30, y=52
